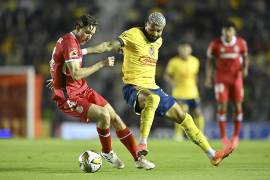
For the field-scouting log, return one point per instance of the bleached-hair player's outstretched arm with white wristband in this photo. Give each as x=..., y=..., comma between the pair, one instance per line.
x=102, y=47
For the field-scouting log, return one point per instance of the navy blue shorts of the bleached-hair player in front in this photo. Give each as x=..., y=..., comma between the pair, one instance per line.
x=130, y=95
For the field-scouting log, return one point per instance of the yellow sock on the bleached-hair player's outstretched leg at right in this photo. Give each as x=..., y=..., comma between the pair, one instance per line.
x=195, y=134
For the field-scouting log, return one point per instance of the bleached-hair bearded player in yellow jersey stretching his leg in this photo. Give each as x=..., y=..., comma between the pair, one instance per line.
x=140, y=47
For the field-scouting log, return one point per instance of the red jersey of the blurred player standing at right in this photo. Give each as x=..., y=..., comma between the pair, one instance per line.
x=228, y=57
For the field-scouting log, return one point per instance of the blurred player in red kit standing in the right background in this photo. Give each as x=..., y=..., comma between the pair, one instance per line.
x=228, y=55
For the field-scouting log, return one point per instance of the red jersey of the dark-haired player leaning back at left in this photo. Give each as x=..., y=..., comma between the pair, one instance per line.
x=67, y=49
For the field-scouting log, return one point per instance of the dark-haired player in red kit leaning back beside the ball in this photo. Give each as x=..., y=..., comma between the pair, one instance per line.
x=74, y=97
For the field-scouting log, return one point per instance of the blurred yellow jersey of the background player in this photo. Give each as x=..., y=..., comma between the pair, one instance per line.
x=184, y=74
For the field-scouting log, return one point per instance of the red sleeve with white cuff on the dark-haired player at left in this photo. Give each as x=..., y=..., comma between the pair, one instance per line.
x=71, y=50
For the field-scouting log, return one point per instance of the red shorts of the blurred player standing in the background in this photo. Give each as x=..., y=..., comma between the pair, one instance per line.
x=233, y=91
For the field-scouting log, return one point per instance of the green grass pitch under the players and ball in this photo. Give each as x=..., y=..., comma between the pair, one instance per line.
x=57, y=159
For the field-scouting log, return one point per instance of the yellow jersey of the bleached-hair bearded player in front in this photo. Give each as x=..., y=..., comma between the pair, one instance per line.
x=140, y=58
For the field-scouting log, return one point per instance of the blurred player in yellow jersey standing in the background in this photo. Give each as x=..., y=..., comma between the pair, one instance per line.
x=181, y=73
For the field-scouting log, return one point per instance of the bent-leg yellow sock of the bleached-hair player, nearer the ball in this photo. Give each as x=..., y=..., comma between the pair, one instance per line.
x=147, y=114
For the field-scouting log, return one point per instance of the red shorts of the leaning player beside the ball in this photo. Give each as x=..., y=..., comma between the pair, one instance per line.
x=78, y=106
